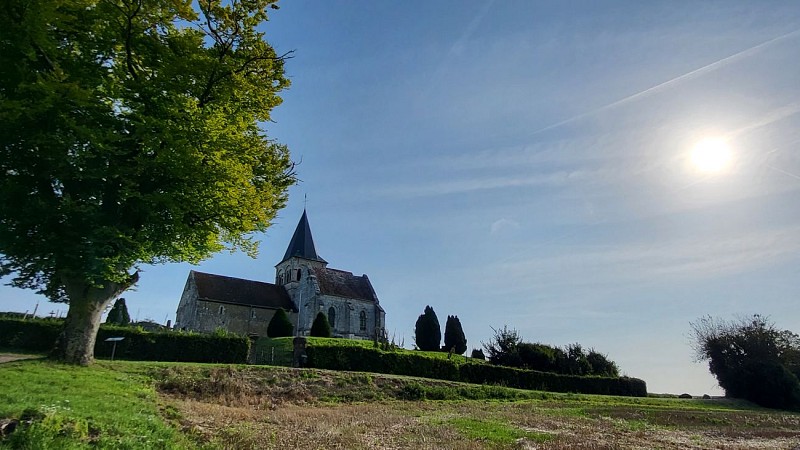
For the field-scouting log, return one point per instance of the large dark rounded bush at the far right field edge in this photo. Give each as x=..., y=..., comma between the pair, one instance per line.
x=751, y=359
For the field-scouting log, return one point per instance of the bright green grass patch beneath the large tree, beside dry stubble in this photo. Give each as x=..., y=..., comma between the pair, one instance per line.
x=74, y=407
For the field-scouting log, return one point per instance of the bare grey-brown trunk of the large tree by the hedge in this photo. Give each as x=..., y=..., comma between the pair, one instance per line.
x=75, y=344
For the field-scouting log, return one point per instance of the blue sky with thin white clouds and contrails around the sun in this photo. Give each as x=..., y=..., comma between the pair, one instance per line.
x=526, y=164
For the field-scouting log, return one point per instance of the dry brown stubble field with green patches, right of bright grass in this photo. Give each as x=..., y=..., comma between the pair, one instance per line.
x=285, y=410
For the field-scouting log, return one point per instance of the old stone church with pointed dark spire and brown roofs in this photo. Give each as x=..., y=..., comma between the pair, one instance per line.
x=304, y=286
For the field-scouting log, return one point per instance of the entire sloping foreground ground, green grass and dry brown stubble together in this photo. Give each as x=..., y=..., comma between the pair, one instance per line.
x=136, y=405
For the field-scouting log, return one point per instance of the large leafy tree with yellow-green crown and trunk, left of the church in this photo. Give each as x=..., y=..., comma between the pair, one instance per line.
x=130, y=134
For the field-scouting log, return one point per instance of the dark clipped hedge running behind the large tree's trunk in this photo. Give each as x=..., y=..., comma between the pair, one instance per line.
x=138, y=345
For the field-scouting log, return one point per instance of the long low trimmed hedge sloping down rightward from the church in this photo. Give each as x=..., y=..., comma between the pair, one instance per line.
x=374, y=360
